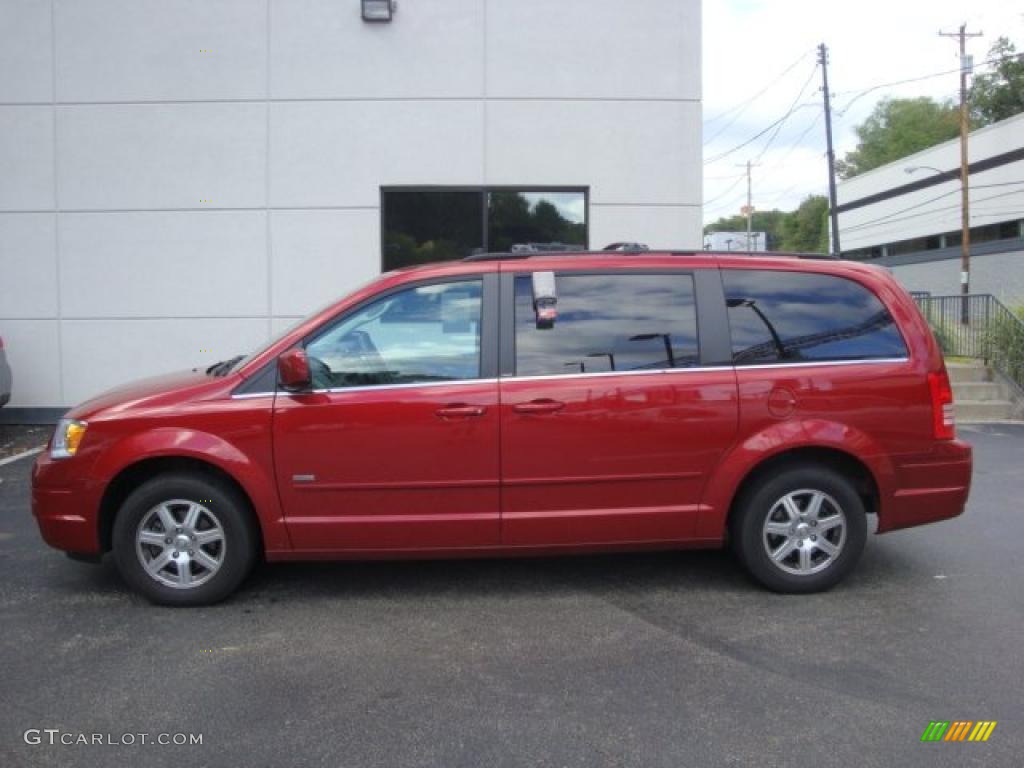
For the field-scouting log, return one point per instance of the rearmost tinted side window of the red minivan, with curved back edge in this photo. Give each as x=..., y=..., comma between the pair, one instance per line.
x=778, y=317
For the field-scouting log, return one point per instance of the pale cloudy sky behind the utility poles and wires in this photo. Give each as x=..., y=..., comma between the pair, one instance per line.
x=748, y=47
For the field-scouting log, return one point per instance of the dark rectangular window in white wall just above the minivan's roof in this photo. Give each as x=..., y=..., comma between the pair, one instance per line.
x=426, y=226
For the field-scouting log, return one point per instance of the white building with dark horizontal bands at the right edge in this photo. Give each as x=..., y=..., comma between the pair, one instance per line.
x=907, y=216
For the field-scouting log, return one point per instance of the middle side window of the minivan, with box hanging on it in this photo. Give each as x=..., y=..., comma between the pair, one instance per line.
x=609, y=323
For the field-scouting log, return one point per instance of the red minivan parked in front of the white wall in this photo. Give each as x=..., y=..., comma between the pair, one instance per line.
x=525, y=404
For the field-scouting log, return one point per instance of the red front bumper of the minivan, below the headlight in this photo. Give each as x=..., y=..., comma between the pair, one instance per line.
x=65, y=508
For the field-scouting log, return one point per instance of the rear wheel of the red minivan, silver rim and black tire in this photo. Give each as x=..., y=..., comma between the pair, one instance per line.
x=821, y=571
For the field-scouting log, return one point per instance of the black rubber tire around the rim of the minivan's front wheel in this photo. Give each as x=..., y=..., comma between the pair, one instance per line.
x=226, y=511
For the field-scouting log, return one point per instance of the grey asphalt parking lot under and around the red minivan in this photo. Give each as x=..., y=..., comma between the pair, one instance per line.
x=665, y=660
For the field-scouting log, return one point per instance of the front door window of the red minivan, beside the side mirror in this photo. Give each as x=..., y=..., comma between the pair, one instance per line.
x=423, y=334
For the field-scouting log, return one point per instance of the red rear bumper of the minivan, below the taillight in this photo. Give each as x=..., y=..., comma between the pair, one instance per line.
x=931, y=489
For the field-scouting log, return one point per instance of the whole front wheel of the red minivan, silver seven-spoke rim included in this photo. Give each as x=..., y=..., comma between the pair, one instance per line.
x=184, y=540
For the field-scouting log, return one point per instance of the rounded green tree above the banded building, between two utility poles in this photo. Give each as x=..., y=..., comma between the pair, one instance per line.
x=899, y=127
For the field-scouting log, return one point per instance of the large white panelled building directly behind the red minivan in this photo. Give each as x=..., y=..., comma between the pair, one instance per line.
x=179, y=181
